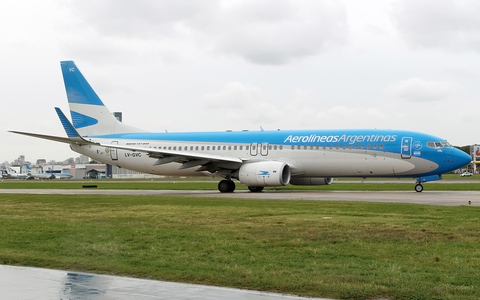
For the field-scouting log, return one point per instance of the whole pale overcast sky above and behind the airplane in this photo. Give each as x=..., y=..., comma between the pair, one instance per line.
x=216, y=65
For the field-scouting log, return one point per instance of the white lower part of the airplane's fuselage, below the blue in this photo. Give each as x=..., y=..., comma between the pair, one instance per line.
x=304, y=161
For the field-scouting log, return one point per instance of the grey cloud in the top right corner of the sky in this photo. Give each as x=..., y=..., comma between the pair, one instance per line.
x=449, y=25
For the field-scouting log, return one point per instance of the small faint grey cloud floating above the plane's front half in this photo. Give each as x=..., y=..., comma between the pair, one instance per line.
x=420, y=90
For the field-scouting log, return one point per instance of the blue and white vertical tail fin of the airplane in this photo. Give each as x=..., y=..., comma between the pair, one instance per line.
x=90, y=116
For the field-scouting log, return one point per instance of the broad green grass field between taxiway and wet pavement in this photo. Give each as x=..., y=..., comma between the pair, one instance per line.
x=340, y=250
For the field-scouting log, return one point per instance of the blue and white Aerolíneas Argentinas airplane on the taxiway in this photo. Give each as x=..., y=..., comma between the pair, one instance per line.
x=256, y=159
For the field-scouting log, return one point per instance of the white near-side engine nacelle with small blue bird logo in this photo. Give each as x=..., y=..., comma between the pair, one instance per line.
x=264, y=173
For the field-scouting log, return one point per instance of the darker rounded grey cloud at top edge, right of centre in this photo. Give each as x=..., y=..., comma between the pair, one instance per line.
x=277, y=32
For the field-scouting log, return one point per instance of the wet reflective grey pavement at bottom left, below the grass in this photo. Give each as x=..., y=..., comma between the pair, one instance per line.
x=24, y=283
